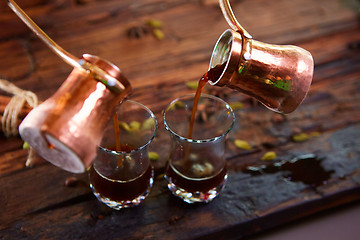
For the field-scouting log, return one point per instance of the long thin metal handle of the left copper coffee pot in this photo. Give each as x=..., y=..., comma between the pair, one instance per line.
x=99, y=74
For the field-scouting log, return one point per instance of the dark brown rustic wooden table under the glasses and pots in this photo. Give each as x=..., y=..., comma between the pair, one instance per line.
x=36, y=203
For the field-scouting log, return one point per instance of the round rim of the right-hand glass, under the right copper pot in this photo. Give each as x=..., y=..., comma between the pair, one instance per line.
x=204, y=95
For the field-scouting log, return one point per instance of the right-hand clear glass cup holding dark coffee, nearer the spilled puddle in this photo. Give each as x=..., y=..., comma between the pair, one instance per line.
x=196, y=168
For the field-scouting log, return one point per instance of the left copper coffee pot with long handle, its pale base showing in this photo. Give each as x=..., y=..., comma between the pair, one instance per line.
x=67, y=128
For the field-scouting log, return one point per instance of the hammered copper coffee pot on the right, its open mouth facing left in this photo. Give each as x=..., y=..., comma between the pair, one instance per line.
x=279, y=76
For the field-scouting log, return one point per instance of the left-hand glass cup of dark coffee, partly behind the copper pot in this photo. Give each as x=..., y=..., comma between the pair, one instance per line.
x=121, y=175
